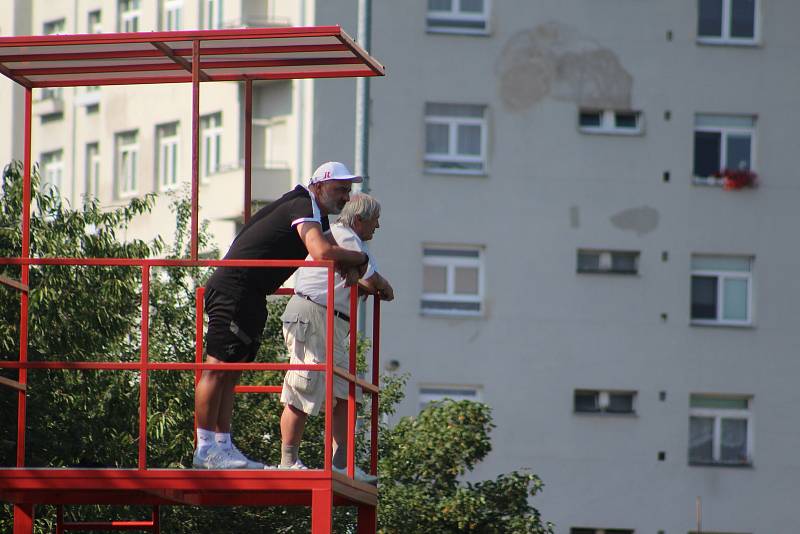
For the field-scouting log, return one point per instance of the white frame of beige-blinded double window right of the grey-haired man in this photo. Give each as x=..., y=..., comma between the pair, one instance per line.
x=449, y=296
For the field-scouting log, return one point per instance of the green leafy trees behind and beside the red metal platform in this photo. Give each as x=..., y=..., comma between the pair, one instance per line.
x=90, y=418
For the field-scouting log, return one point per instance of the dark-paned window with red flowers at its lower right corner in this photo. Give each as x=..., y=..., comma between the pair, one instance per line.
x=722, y=142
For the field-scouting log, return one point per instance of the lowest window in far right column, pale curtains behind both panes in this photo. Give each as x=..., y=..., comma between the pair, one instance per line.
x=720, y=430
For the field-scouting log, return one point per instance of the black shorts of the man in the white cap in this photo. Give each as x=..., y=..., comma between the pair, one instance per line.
x=234, y=326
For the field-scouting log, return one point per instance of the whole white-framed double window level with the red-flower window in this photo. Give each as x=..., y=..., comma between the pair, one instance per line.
x=455, y=138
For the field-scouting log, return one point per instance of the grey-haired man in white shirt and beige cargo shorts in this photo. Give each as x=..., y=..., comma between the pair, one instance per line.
x=304, y=328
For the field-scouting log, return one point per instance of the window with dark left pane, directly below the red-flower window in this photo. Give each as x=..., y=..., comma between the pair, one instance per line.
x=722, y=290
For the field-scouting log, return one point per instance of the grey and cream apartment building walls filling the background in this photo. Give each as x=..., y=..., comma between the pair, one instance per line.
x=567, y=220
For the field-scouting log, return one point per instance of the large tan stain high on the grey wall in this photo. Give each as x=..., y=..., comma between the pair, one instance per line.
x=555, y=60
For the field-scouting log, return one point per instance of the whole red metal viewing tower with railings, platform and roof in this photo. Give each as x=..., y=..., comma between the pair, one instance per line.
x=193, y=57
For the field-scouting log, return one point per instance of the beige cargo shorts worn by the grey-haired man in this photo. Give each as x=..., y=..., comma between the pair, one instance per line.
x=304, y=327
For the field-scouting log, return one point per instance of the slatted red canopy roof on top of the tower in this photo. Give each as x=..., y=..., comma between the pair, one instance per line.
x=166, y=57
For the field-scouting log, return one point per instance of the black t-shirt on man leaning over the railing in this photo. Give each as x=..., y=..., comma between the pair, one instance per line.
x=269, y=235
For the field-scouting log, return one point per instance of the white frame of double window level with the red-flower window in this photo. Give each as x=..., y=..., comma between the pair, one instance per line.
x=452, y=156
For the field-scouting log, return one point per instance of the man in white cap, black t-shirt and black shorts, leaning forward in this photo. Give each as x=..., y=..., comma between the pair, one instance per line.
x=289, y=228
